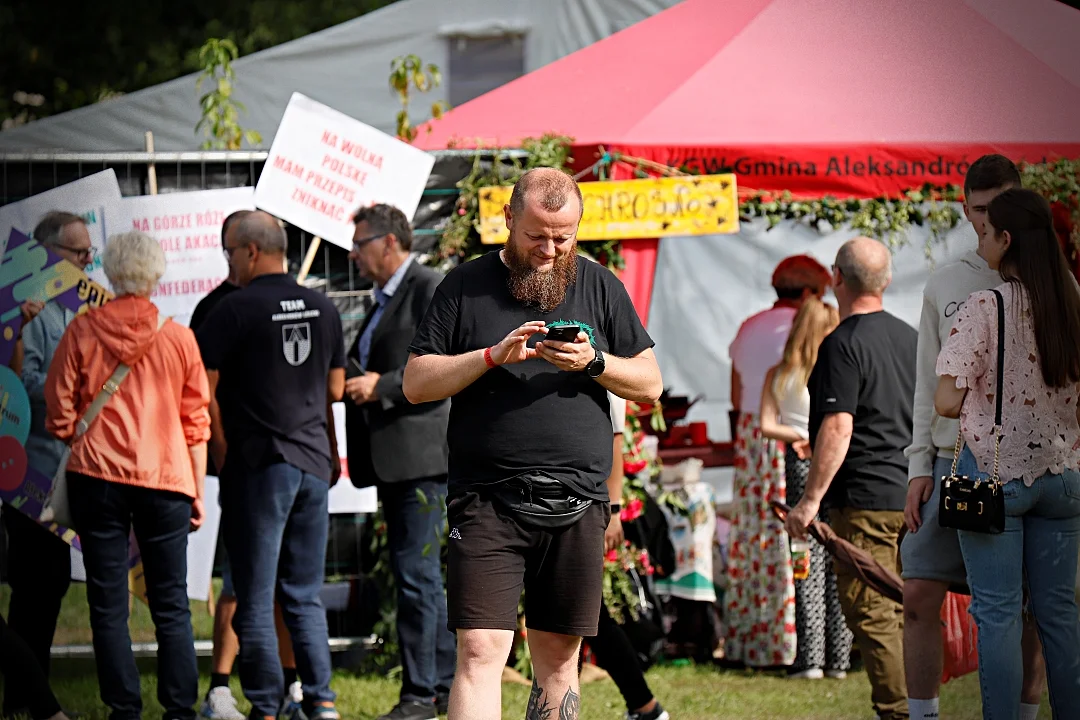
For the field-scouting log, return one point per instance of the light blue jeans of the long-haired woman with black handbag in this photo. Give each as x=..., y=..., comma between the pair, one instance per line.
x=1041, y=544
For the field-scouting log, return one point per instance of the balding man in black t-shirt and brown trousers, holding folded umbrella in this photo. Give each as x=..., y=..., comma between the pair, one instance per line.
x=862, y=392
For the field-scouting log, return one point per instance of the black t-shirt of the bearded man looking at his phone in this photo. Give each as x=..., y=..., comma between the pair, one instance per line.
x=530, y=417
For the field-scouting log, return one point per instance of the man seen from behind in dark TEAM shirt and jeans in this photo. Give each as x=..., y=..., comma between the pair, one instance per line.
x=277, y=349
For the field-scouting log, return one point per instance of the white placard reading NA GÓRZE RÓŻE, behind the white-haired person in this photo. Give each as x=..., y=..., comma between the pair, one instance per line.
x=188, y=227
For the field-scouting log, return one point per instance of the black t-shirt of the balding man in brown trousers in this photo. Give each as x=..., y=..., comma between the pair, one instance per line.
x=867, y=368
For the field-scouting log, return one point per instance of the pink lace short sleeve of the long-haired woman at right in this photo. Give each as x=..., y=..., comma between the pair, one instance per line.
x=967, y=354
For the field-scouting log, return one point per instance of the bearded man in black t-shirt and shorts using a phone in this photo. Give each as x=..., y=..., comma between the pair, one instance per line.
x=531, y=441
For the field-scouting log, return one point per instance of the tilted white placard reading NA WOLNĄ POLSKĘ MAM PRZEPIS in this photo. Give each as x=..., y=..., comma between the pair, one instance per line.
x=323, y=166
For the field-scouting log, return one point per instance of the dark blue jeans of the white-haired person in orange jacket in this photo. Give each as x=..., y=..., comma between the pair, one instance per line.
x=105, y=513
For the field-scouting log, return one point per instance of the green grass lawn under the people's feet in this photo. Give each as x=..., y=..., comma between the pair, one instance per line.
x=687, y=692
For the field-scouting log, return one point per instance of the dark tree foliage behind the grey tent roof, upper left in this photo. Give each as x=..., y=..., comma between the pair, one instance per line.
x=64, y=55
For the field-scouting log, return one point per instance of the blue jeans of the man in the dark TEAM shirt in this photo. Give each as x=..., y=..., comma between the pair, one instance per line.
x=276, y=525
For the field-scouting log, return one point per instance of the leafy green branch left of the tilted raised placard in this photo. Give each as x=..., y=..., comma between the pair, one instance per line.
x=221, y=114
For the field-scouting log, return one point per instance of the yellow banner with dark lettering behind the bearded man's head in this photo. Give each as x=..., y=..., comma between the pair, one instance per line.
x=623, y=210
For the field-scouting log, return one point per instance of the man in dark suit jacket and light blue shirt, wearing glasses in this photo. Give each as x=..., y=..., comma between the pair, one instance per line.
x=401, y=449
